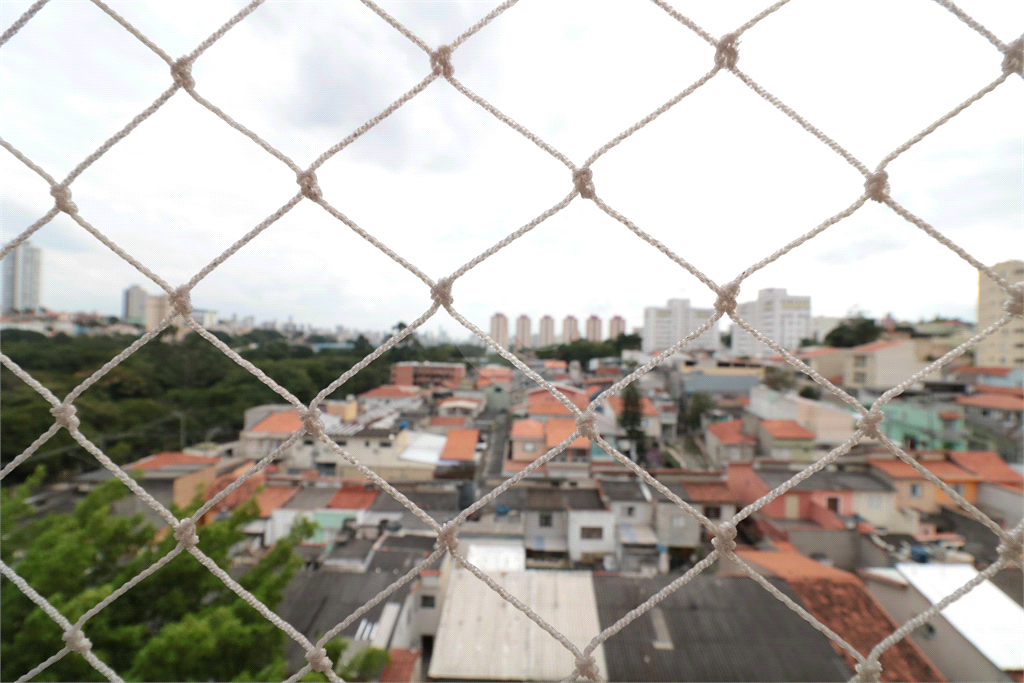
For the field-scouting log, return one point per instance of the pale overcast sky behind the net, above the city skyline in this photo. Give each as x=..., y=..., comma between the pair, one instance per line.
x=723, y=179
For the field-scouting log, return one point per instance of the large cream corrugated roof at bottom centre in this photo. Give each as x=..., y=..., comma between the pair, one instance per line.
x=484, y=637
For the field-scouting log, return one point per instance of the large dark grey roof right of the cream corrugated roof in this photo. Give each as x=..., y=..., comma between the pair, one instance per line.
x=721, y=629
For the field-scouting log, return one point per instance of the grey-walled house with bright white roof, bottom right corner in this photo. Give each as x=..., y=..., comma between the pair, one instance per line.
x=976, y=638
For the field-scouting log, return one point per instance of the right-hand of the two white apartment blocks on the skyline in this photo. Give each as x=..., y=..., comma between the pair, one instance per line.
x=783, y=318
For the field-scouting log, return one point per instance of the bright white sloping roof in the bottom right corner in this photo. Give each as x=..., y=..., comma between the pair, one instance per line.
x=987, y=617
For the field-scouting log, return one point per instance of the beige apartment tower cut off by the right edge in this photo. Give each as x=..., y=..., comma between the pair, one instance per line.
x=1006, y=348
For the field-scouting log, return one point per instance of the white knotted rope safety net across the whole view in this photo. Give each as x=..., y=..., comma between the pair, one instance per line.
x=439, y=64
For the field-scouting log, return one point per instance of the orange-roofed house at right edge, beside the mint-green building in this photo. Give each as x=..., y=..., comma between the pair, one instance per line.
x=997, y=418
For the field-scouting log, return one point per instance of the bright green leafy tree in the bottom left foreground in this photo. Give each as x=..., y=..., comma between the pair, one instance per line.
x=181, y=623
